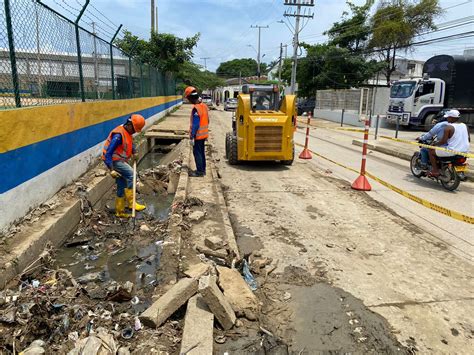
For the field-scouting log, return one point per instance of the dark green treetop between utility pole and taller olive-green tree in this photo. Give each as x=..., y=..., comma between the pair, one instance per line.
x=351, y=32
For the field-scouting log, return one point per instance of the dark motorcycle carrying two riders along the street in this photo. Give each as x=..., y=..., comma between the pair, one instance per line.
x=452, y=169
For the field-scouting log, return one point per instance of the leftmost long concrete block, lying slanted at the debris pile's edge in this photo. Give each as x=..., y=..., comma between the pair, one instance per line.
x=169, y=303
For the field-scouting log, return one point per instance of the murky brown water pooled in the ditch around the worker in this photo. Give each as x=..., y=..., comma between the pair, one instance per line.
x=110, y=260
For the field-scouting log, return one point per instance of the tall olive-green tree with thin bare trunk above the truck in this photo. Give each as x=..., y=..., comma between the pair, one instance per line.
x=396, y=23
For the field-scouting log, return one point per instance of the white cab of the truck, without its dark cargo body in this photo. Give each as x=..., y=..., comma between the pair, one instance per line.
x=416, y=101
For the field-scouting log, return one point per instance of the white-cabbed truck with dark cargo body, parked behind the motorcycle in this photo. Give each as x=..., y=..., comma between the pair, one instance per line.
x=448, y=82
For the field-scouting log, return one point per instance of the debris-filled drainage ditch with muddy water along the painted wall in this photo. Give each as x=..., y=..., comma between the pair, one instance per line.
x=102, y=277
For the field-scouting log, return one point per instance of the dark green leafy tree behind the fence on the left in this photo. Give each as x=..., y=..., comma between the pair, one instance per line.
x=163, y=51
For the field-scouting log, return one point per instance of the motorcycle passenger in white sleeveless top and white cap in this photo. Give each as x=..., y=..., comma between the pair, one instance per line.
x=455, y=137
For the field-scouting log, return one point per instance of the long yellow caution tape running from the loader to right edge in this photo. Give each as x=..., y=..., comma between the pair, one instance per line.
x=433, y=206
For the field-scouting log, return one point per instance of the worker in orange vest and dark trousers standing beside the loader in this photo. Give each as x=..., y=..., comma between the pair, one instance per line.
x=198, y=130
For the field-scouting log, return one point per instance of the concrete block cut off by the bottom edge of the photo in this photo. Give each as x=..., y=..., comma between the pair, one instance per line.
x=198, y=333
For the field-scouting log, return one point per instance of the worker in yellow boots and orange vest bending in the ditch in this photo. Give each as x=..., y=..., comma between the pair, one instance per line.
x=118, y=149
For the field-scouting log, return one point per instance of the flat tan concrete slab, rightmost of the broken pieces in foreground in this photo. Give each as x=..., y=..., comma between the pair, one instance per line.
x=238, y=293
